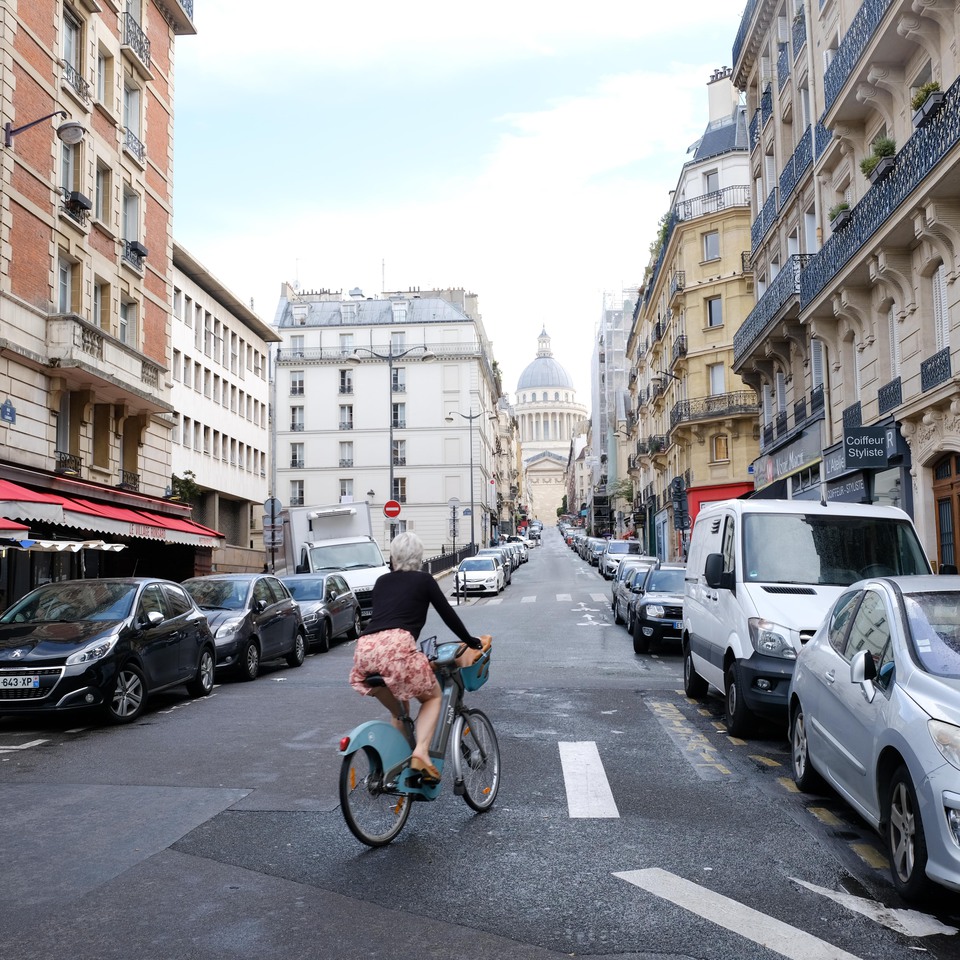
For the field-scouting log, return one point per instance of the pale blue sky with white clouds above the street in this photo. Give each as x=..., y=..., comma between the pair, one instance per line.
x=524, y=151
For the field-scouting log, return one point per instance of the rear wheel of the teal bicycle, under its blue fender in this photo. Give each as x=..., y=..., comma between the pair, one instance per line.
x=373, y=815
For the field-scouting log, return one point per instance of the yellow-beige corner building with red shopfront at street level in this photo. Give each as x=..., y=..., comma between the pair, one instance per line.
x=694, y=426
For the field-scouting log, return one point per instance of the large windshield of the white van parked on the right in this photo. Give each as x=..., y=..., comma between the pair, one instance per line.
x=838, y=550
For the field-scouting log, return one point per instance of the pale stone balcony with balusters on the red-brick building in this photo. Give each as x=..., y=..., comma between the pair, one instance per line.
x=88, y=358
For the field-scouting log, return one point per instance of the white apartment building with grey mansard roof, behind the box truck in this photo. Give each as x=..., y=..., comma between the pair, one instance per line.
x=390, y=398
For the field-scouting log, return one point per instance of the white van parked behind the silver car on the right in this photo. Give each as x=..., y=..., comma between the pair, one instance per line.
x=761, y=576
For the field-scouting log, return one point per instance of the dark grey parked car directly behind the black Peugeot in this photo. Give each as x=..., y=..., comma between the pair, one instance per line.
x=253, y=618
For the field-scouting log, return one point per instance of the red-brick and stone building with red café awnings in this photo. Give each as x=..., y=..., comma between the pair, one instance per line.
x=85, y=264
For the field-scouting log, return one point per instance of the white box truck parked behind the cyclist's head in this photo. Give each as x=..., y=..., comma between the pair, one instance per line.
x=336, y=537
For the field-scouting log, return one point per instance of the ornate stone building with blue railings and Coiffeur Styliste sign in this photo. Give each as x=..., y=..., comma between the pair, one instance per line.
x=856, y=257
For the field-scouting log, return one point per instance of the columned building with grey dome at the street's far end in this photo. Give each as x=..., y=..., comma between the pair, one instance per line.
x=549, y=417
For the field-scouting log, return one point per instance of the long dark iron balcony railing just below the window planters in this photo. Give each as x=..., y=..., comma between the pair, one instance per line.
x=916, y=160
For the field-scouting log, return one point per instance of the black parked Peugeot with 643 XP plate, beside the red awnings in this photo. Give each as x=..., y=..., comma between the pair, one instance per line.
x=102, y=644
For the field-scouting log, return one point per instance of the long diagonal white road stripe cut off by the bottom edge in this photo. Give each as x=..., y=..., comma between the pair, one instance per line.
x=750, y=924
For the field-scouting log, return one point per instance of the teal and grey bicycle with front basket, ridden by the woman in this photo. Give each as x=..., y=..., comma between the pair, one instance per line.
x=377, y=784
